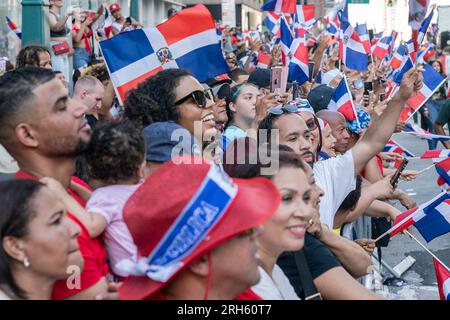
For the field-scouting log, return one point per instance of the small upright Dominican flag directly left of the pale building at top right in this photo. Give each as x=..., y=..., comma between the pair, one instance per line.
x=351, y=49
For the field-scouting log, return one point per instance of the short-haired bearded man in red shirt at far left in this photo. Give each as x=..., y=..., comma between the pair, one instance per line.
x=44, y=130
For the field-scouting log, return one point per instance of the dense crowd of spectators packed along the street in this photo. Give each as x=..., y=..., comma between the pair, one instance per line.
x=220, y=189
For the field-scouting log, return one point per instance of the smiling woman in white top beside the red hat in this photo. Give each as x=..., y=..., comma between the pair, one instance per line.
x=285, y=230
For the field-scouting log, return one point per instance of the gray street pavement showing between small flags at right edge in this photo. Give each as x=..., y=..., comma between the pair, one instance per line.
x=421, y=280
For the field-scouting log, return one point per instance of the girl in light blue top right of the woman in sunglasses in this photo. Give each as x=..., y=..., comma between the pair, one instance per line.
x=241, y=110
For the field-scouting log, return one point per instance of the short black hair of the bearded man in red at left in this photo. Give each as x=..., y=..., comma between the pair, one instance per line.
x=16, y=89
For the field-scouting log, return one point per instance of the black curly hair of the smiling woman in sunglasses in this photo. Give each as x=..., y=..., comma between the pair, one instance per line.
x=161, y=89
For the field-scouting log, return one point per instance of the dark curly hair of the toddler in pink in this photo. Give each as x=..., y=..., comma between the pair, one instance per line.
x=115, y=152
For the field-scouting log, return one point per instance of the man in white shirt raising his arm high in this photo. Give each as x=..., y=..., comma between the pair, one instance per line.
x=336, y=176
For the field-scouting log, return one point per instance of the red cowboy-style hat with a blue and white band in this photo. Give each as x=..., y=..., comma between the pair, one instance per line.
x=183, y=211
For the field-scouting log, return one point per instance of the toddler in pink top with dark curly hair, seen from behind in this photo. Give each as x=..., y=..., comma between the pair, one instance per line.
x=115, y=160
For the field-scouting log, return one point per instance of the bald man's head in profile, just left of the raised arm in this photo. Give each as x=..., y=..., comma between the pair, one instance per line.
x=338, y=129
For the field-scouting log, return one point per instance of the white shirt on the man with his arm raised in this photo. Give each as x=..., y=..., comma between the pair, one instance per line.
x=336, y=177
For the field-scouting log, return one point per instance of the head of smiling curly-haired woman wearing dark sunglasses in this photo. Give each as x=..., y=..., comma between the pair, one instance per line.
x=173, y=95
